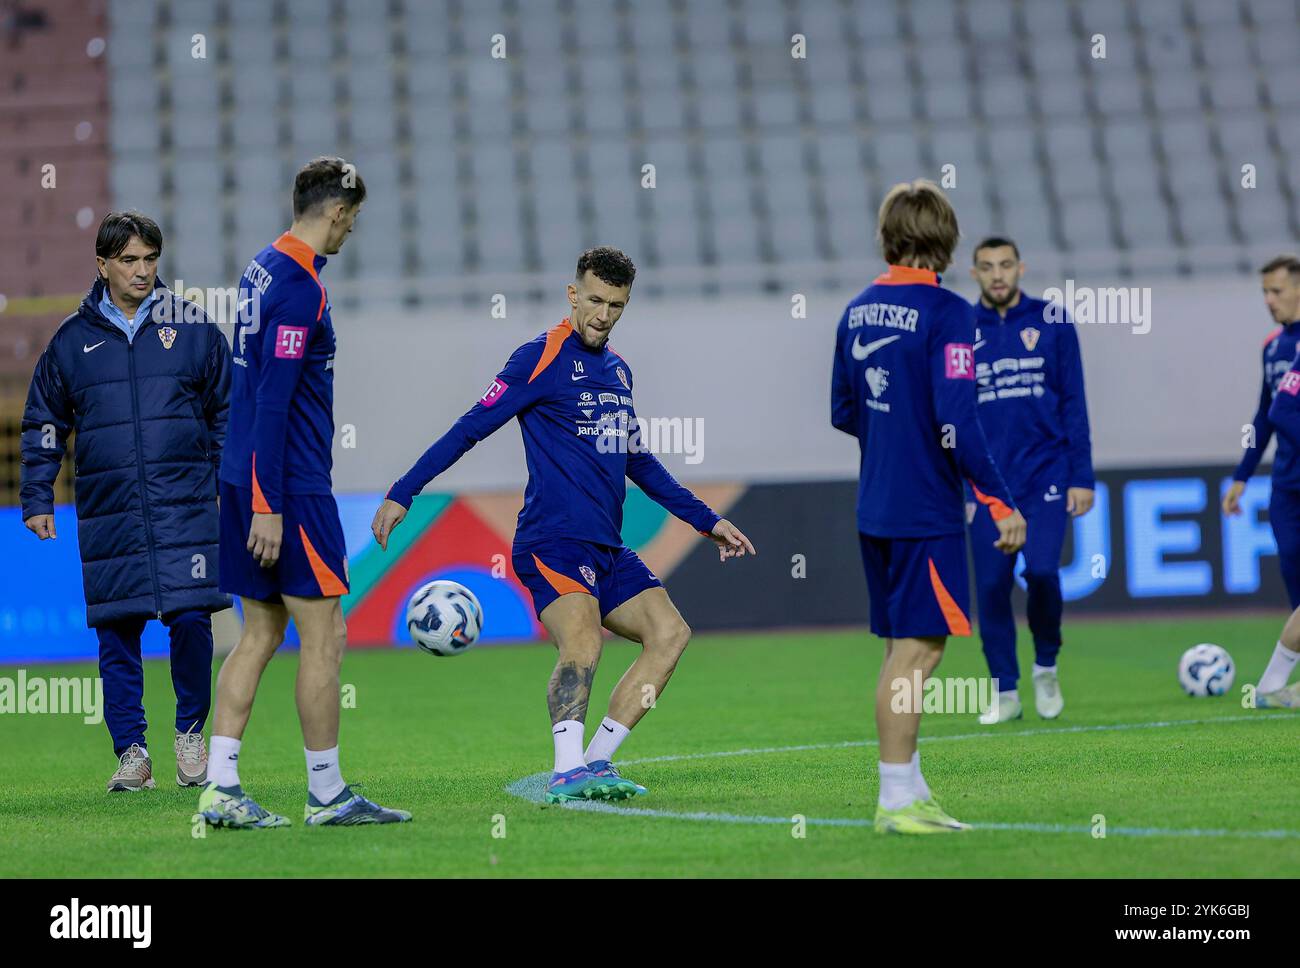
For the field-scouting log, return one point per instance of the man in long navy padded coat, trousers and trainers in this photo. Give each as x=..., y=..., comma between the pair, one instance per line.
x=144, y=377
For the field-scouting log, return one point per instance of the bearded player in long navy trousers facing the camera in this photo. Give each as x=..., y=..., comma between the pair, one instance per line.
x=1029, y=376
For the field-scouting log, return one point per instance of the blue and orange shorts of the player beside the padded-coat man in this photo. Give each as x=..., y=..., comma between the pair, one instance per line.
x=313, y=555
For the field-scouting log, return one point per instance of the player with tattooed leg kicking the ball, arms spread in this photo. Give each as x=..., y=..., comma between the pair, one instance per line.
x=573, y=396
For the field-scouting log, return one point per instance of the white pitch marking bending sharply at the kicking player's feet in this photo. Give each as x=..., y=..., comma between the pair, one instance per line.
x=534, y=787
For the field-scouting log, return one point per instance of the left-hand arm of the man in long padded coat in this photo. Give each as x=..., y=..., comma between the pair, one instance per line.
x=46, y=423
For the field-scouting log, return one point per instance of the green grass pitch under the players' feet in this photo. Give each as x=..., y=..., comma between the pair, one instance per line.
x=444, y=739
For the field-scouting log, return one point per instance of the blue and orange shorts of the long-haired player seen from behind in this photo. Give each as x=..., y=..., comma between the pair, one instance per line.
x=920, y=588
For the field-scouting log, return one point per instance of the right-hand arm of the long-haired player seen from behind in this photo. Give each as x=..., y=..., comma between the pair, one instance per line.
x=952, y=371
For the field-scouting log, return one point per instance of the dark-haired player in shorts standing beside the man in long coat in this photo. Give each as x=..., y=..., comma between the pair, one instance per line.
x=283, y=546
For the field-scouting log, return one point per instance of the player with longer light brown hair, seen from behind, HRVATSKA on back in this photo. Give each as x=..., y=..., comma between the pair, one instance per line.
x=904, y=385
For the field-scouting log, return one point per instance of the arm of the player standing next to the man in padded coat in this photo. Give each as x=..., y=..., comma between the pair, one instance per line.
x=285, y=335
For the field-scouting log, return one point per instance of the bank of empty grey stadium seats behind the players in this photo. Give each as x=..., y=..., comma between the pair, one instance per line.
x=787, y=157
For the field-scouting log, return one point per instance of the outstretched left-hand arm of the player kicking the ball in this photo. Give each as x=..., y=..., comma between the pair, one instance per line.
x=523, y=383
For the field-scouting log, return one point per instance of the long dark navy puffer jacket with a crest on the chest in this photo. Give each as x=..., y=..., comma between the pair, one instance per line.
x=150, y=418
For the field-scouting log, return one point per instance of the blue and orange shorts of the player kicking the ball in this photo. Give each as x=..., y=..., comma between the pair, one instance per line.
x=554, y=568
